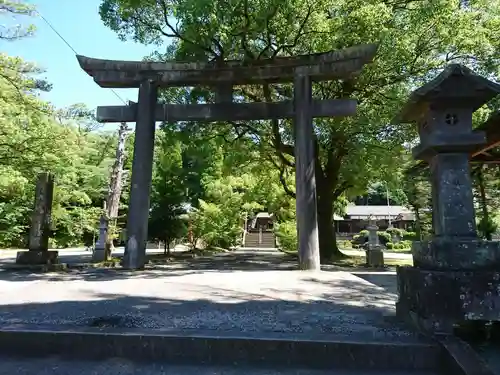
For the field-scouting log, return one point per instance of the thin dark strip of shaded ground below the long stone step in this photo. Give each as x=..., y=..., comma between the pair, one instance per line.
x=53, y=366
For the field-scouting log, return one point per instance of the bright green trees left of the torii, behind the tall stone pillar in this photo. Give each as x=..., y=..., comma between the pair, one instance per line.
x=34, y=138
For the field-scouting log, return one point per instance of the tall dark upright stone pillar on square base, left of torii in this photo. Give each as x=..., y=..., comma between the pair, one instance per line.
x=38, y=252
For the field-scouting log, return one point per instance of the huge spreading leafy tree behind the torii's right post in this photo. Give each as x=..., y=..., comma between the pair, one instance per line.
x=415, y=40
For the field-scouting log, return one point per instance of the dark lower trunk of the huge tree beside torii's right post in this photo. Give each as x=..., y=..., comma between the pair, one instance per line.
x=328, y=248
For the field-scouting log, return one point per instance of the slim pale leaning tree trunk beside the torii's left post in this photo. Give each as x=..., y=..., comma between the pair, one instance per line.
x=116, y=181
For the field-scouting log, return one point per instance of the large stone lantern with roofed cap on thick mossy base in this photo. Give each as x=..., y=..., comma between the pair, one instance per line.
x=456, y=275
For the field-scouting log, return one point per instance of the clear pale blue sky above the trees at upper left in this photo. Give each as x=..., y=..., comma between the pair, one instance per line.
x=79, y=23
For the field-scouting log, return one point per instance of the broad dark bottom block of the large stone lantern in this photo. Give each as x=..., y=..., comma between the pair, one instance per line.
x=438, y=301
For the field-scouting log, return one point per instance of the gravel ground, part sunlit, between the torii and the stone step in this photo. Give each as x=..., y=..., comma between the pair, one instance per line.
x=232, y=293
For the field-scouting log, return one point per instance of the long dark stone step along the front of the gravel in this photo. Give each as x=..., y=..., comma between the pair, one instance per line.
x=390, y=355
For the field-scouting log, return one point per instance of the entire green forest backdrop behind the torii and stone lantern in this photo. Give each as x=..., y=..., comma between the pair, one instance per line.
x=216, y=174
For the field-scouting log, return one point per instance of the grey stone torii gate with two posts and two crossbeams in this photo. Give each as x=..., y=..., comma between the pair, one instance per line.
x=149, y=76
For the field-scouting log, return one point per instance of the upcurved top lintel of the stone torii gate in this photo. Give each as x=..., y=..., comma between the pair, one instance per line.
x=321, y=66
